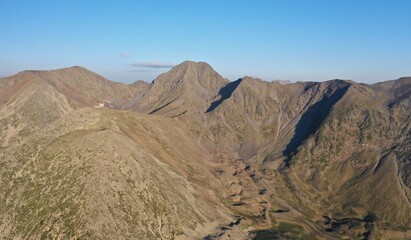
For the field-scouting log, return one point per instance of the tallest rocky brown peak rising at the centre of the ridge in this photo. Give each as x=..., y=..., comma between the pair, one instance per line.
x=187, y=87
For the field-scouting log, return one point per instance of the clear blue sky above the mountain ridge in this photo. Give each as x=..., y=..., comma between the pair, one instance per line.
x=297, y=40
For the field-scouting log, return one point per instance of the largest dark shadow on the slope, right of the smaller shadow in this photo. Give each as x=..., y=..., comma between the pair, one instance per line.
x=312, y=119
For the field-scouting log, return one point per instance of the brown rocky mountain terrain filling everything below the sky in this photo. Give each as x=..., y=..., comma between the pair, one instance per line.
x=194, y=156
